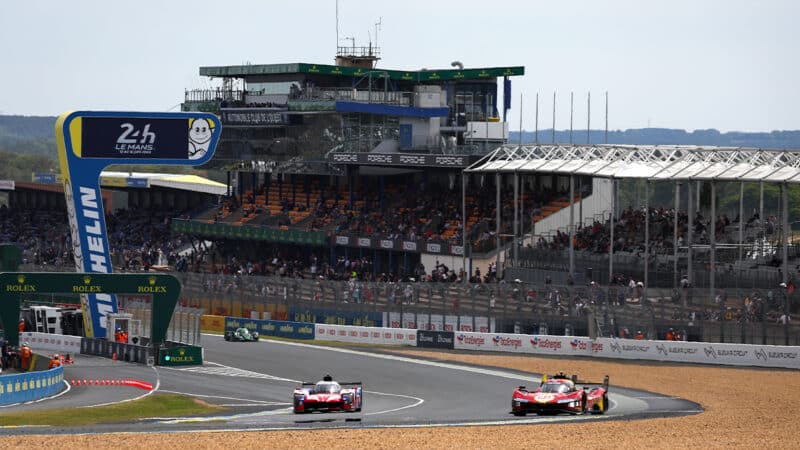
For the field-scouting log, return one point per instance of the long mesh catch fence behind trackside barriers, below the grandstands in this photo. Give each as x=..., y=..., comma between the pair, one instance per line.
x=535, y=308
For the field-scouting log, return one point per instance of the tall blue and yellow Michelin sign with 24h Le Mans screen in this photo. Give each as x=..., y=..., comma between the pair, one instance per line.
x=88, y=142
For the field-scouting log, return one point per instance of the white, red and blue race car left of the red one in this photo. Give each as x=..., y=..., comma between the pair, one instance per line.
x=327, y=395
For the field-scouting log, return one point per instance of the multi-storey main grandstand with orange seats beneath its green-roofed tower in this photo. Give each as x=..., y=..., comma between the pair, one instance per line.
x=370, y=157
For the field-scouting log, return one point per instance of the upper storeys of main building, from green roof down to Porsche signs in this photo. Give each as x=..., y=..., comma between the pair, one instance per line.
x=278, y=112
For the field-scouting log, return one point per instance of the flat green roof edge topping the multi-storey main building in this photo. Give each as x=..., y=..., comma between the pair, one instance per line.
x=325, y=69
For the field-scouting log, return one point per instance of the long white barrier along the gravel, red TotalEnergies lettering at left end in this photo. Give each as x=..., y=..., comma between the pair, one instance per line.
x=667, y=351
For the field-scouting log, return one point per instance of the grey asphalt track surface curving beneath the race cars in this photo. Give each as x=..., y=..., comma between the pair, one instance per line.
x=254, y=380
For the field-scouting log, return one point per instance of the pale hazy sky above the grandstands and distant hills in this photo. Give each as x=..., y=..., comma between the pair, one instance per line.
x=686, y=64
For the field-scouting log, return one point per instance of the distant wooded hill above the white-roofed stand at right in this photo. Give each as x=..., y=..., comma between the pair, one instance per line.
x=665, y=136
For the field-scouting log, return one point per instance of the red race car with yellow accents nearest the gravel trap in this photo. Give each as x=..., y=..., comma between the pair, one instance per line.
x=561, y=394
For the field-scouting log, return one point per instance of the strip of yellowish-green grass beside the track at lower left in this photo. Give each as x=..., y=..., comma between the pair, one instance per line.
x=156, y=405
